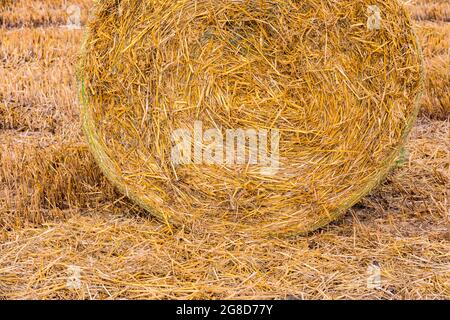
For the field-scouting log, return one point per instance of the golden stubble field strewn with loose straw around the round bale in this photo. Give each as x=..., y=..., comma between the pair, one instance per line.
x=58, y=213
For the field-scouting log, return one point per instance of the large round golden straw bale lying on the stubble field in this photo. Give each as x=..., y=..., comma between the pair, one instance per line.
x=344, y=98
